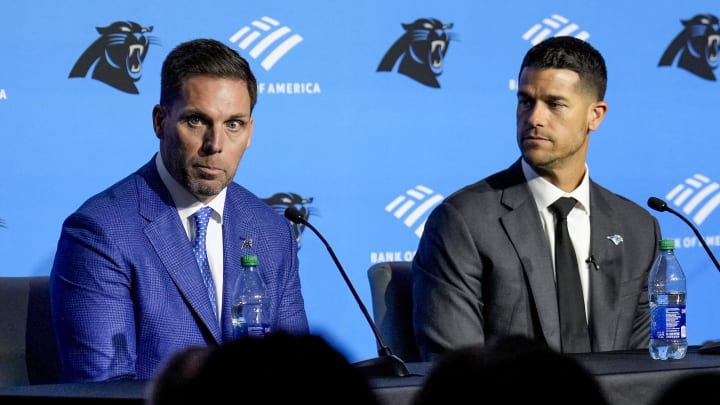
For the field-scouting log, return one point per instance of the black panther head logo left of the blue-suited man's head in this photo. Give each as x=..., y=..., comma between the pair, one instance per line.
x=117, y=56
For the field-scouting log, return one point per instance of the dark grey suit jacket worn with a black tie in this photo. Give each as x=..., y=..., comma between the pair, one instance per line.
x=483, y=269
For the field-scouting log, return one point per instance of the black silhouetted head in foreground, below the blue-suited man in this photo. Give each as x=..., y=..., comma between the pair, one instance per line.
x=280, y=368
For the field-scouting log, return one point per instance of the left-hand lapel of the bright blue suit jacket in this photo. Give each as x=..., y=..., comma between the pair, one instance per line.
x=167, y=237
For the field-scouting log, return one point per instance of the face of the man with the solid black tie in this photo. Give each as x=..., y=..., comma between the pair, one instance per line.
x=555, y=116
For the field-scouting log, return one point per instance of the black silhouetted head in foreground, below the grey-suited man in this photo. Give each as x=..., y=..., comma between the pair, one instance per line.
x=515, y=369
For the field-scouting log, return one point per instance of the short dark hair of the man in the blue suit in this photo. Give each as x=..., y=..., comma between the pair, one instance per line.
x=203, y=57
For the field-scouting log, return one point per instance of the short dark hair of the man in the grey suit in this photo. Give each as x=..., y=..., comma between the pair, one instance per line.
x=570, y=53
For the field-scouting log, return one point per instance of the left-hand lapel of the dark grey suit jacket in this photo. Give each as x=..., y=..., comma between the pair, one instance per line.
x=524, y=229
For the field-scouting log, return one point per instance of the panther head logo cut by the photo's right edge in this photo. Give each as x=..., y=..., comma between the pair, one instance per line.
x=696, y=47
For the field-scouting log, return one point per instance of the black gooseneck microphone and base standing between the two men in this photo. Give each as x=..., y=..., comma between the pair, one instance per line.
x=386, y=364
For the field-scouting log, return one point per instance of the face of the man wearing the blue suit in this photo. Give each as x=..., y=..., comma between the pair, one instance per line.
x=205, y=133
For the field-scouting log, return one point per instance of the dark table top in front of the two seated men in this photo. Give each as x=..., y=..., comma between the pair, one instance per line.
x=627, y=377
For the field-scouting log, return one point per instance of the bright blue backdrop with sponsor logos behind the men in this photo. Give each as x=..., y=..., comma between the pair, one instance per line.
x=369, y=151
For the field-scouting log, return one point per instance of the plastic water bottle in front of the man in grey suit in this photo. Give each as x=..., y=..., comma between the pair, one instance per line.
x=666, y=287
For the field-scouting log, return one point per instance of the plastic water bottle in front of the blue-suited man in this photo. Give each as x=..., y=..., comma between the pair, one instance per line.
x=250, y=302
